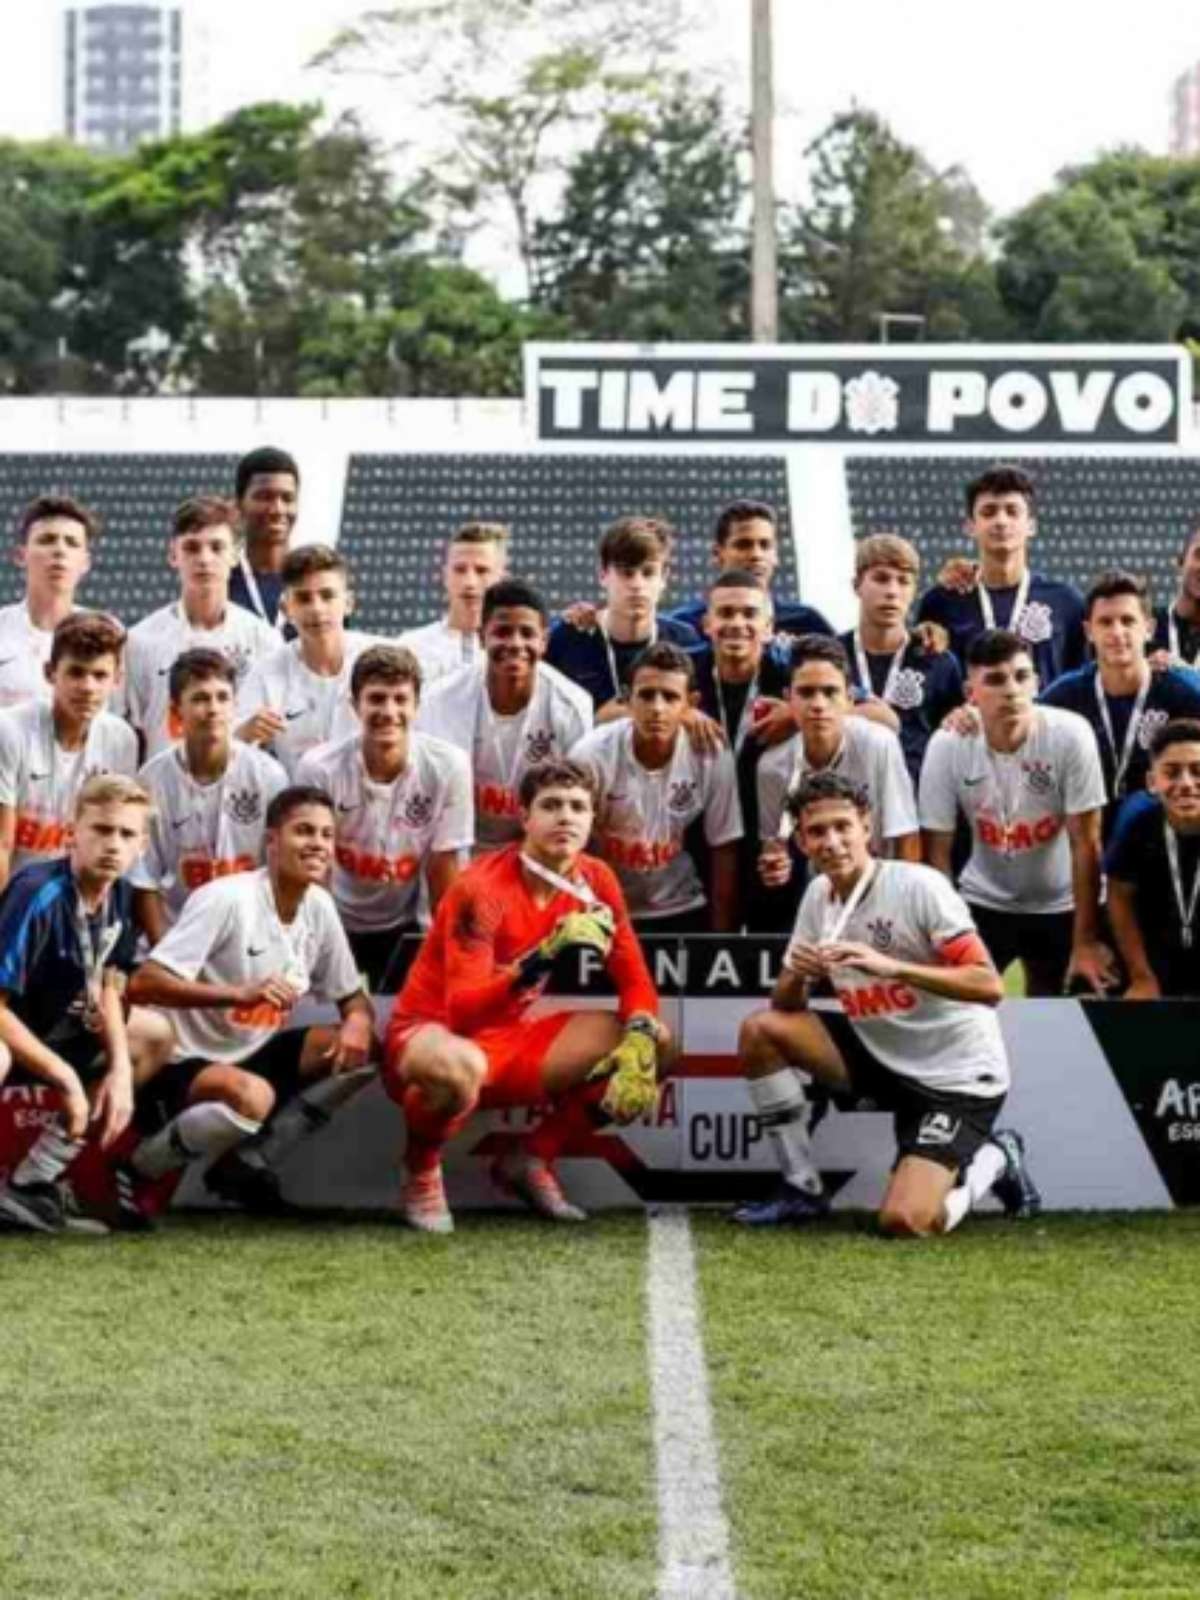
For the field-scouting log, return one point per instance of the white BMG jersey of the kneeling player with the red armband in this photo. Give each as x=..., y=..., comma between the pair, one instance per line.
x=913, y=914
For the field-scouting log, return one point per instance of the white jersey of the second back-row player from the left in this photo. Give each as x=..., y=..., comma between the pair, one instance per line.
x=156, y=642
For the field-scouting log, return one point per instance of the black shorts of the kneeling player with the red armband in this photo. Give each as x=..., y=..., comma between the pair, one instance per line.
x=938, y=1126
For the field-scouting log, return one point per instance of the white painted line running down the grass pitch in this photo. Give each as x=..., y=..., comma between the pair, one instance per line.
x=694, y=1538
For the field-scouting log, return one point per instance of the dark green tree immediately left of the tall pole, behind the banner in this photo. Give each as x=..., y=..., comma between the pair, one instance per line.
x=650, y=239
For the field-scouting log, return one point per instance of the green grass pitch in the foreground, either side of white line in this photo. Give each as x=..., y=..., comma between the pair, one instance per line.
x=345, y=1412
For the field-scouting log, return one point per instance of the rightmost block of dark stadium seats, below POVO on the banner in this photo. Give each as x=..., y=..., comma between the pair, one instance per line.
x=1094, y=513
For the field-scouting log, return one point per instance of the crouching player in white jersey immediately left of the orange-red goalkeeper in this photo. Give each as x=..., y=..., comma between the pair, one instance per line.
x=242, y=954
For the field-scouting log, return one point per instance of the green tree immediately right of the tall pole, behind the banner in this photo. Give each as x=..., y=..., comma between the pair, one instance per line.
x=884, y=233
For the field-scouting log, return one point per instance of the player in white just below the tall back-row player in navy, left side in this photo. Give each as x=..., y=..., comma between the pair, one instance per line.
x=300, y=695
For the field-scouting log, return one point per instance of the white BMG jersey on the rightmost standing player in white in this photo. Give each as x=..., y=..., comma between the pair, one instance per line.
x=1018, y=809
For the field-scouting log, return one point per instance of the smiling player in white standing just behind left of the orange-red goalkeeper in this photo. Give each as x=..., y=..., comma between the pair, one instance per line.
x=402, y=812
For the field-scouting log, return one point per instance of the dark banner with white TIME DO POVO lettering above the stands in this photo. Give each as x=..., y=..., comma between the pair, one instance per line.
x=868, y=394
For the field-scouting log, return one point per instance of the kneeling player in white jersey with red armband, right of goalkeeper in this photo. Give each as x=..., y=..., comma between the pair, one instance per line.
x=924, y=1042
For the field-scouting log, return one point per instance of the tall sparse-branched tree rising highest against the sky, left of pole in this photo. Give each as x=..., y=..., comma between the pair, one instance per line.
x=508, y=87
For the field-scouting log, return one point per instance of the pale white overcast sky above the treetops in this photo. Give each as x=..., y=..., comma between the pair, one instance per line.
x=1012, y=90
